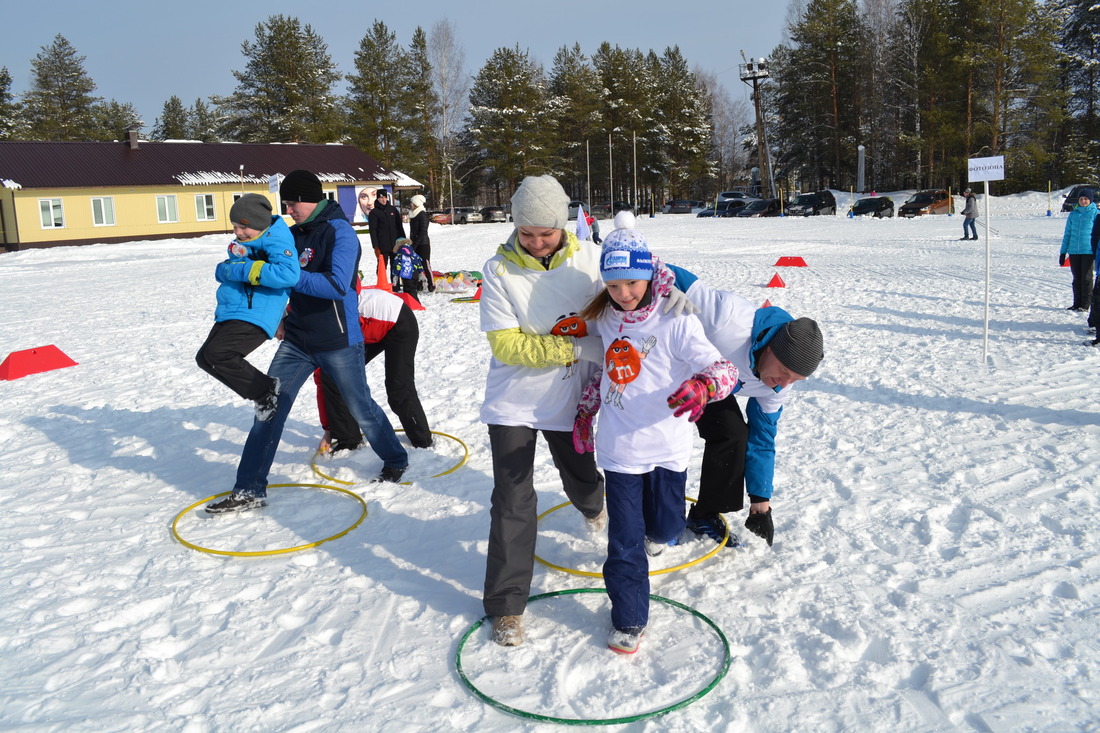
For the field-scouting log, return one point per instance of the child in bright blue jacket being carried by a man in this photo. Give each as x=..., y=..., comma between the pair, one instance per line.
x=256, y=286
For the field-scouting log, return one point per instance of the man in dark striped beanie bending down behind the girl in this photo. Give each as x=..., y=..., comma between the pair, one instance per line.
x=772, y=351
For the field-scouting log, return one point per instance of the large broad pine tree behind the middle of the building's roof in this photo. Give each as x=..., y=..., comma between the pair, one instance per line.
x=285, y=92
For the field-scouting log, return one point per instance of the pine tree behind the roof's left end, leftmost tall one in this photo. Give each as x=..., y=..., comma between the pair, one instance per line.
x=60, y=105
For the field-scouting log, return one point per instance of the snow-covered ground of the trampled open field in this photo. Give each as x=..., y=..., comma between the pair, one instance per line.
x=936, y=566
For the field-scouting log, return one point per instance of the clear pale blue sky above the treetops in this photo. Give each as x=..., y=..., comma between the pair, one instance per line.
x=145, y=52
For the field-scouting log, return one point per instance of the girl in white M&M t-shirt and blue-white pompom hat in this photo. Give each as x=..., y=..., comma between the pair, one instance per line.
x=658, y=373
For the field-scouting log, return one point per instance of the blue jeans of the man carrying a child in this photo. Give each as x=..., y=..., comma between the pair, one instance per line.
x=292, y=367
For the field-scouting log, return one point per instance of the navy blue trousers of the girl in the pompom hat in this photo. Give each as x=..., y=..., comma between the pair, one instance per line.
x=639, y=507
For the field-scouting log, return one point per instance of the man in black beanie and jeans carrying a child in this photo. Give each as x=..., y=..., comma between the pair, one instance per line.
x=321, y=332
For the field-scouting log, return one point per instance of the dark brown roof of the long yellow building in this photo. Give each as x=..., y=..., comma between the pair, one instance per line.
x=90, y=165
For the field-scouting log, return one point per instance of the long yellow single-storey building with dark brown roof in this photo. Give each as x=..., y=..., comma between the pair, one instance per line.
x=80, y=193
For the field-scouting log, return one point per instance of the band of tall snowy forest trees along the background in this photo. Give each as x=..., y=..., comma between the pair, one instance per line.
x=923, y=85
